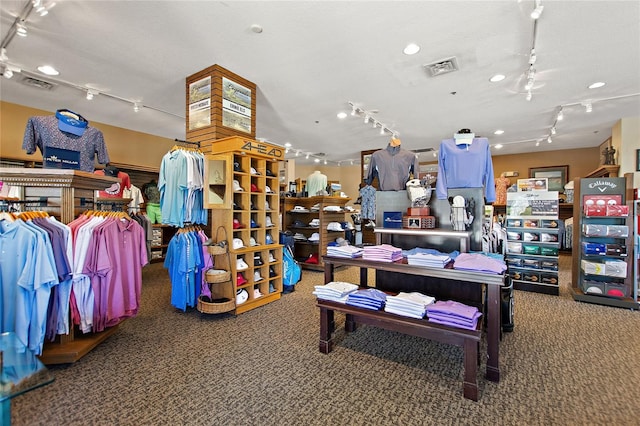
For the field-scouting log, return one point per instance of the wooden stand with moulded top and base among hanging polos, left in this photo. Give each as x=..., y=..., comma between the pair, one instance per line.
x=68, y=193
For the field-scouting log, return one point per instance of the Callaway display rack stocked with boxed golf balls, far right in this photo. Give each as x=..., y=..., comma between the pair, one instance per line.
x=604, y=260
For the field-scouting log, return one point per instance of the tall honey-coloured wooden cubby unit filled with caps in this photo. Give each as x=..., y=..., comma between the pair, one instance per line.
x=252, y=168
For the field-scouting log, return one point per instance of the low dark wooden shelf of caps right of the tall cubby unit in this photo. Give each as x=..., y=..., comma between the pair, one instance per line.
x=306, y=216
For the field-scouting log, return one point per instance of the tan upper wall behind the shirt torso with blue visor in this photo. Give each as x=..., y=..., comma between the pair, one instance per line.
x=126, y=147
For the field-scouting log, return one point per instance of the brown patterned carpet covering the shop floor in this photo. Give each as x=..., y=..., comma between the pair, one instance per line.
x=565, y=363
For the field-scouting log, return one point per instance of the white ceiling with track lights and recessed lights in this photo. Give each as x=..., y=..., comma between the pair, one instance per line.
x=313, y=57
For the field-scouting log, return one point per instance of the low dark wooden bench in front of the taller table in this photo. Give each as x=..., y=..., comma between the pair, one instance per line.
x=469, y=340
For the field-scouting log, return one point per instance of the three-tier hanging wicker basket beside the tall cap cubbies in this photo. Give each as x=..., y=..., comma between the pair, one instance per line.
x=223, y=295
